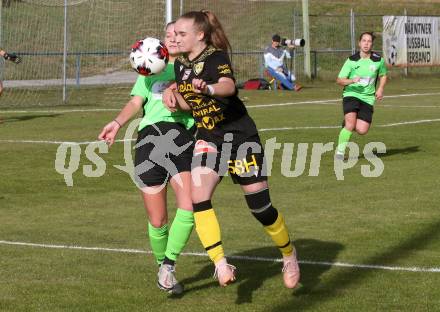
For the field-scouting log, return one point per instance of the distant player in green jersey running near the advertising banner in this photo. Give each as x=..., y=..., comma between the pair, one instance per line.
x=359, y=76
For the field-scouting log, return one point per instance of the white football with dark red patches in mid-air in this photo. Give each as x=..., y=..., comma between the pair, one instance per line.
x=149, y=56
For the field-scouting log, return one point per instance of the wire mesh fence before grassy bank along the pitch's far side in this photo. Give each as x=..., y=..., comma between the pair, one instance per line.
x=98, y=35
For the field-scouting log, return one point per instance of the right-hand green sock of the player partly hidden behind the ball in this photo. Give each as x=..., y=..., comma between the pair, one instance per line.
x=180, y=232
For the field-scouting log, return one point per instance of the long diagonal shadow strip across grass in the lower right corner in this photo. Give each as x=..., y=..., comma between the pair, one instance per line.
x=347, y=278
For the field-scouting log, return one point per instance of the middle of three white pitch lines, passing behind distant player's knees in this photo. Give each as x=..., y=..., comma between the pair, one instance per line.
x=413, y=122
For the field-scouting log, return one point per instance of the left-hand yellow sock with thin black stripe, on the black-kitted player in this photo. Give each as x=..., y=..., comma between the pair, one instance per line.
x=208, y=229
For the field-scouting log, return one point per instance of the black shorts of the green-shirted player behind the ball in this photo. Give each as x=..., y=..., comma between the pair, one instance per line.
x=162, y=150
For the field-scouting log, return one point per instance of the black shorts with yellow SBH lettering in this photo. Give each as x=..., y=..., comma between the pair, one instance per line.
x=244, y=162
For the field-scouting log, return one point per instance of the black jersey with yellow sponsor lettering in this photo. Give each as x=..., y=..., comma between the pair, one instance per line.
x=214, y=116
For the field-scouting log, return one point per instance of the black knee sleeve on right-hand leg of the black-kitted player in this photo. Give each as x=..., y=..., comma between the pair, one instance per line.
x=261, y=207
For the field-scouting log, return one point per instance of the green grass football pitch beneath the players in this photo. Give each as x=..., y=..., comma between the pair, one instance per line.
x=389, y=224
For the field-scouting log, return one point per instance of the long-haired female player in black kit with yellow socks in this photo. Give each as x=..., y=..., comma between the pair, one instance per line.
x=227, y=139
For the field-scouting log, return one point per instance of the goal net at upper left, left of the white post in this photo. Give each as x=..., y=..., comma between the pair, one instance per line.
x=92, y=36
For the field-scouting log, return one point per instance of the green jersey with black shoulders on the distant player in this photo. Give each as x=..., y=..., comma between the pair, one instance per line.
x=368, y=69
